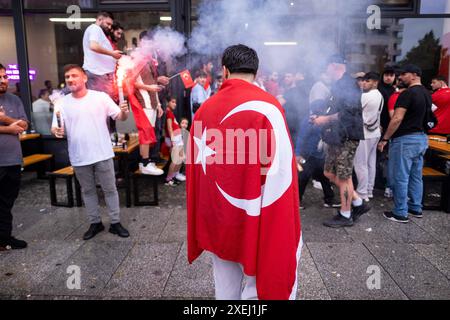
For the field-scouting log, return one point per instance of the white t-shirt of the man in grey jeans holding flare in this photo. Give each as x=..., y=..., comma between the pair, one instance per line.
x=85, y=124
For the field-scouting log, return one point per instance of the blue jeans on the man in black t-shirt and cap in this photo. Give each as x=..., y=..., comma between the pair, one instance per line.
x=406, y=160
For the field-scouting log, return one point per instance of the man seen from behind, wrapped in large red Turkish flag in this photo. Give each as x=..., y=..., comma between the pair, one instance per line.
x=242, y=193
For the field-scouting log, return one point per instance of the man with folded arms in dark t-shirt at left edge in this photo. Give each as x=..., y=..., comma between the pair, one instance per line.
x=13, y=121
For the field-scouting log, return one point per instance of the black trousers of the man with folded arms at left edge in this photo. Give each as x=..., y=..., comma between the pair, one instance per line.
x=9, y=190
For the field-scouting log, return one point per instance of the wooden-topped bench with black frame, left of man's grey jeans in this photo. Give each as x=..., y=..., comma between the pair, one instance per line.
x=67, y=174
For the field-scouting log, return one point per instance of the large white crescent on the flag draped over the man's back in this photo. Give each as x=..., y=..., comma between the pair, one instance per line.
x=279, y=176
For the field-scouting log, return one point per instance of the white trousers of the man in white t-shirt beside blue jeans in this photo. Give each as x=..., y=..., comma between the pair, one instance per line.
x=365, y=166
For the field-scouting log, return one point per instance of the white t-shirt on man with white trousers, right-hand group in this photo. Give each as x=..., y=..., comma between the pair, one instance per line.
x=372, y=104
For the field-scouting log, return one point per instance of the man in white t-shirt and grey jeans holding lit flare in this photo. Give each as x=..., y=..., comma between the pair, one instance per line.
x=83, y=116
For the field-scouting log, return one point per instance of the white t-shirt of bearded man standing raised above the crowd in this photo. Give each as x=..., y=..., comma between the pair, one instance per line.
x=94, y=62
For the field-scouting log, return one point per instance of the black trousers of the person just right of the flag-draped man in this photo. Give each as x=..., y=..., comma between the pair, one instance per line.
x=313, y=168
